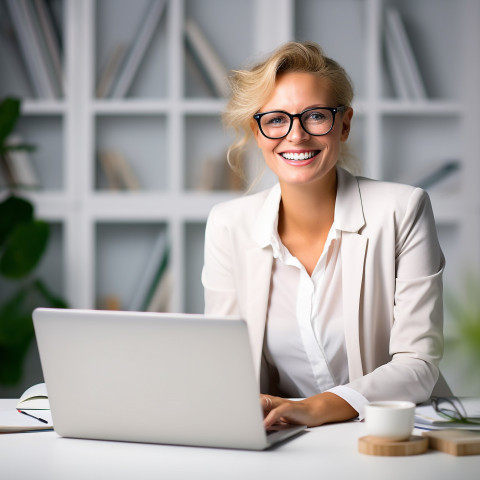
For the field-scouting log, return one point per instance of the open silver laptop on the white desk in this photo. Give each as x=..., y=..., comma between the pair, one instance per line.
x=151, y=377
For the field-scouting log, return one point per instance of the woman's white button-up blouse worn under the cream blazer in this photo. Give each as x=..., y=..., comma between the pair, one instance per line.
x=304, y=338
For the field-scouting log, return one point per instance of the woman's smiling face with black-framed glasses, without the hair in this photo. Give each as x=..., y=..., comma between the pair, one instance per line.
x=306, y=142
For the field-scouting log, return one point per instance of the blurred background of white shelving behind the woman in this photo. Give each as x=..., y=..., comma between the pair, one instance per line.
x=122, y=101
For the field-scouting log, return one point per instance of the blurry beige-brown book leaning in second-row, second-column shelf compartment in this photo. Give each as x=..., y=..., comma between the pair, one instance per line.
x=118, y=171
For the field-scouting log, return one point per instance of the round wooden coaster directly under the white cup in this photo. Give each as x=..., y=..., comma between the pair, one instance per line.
x=379, y=446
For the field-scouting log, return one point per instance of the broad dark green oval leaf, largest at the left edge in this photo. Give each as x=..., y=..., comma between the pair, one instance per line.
x=24, y=248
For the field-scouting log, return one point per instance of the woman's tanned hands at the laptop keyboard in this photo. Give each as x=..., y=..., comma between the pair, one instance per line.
x=313, y=411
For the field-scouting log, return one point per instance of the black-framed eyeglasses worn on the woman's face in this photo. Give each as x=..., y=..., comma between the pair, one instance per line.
x=316, y=121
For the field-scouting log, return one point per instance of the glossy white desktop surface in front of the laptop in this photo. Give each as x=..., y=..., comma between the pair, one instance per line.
x=328, y=452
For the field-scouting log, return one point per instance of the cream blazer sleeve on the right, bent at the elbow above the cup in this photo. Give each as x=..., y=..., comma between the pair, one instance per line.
x=416, y=330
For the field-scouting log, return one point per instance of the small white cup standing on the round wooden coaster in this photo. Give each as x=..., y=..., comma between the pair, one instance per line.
x=390, y=420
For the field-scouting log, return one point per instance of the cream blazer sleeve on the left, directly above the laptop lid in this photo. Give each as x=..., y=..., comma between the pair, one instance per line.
x=217, y=274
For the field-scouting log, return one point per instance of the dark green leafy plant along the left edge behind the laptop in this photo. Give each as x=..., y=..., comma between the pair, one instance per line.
x=23, y=240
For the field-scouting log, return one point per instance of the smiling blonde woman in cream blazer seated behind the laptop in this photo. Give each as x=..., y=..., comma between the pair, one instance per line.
x=338, y=277
